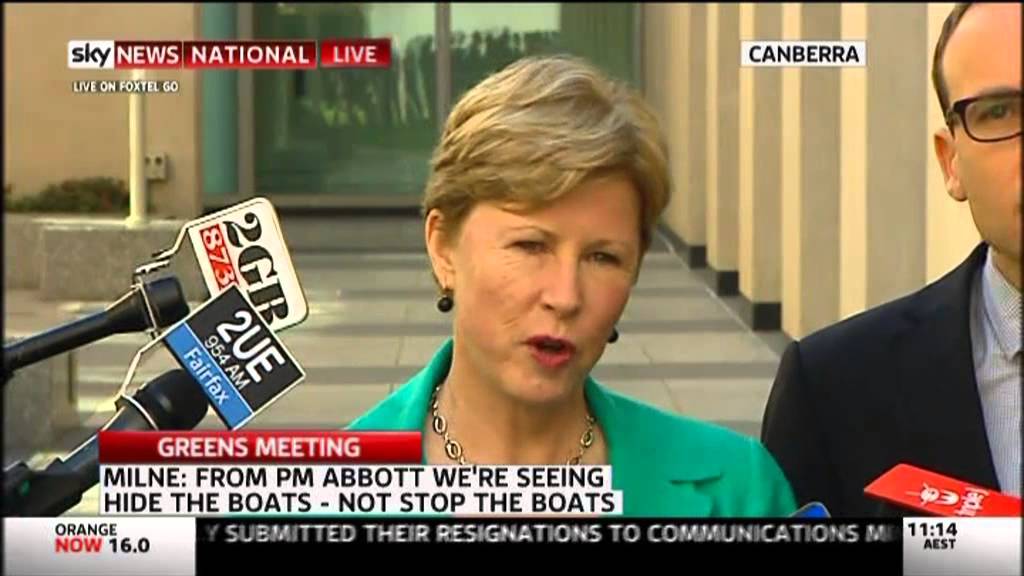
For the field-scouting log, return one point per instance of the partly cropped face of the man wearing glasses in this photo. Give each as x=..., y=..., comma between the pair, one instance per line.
x=985, y=56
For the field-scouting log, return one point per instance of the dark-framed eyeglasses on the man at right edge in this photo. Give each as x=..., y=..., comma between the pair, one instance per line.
x=991, y=118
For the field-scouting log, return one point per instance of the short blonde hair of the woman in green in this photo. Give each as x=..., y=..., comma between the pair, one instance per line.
x=537, y=131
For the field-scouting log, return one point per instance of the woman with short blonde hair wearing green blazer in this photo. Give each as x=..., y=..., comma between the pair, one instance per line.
x=543, y=198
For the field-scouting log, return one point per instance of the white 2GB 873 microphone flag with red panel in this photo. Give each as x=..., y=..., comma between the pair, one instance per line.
x=243, y=245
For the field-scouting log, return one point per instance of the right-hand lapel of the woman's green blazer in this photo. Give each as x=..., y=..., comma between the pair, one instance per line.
x=658, y=471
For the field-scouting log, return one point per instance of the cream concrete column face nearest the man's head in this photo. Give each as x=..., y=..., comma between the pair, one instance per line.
x=898, y=96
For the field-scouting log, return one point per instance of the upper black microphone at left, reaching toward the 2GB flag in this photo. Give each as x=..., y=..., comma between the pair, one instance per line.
x=164, y=298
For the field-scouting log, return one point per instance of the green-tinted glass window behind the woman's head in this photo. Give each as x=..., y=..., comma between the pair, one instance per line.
x=369, y=134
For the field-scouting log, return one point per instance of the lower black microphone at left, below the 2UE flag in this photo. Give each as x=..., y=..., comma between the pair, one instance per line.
x=172, y=401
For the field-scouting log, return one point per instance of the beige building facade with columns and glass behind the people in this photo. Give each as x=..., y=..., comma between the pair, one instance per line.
x=812, y=194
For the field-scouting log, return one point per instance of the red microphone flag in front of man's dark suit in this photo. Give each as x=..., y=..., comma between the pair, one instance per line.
x=941, y=496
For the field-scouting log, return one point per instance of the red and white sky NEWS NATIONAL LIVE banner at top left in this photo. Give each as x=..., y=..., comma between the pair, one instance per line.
x=229, y=55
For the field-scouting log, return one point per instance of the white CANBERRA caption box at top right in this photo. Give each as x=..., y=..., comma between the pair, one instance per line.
x=804, y=54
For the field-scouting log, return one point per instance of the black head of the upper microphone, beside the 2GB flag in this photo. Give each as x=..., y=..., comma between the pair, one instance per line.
x=168, y=302
